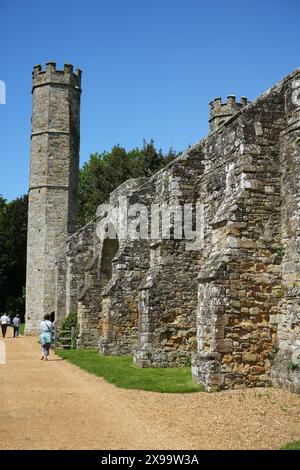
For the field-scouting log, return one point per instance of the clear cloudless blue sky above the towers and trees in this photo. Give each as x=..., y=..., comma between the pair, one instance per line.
x=150, y=67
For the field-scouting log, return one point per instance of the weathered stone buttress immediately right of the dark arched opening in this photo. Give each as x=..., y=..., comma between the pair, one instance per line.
x=118, y=323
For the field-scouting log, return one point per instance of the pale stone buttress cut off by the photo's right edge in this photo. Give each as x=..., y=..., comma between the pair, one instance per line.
x=286, y=354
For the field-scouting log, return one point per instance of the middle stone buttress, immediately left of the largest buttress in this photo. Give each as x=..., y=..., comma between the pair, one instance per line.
x=168, y=293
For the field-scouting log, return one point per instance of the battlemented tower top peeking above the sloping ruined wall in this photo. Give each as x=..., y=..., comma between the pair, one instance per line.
x=221, y=112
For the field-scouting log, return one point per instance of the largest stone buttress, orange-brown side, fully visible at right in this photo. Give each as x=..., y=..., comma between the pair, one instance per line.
x=240, y=278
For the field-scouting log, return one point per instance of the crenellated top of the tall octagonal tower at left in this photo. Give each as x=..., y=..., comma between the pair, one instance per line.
x=52, y=75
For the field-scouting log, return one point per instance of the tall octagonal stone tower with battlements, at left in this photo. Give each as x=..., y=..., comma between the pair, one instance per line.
x=54, y=171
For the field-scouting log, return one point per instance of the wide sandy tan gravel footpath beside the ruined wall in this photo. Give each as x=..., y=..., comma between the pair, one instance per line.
x=56, y=405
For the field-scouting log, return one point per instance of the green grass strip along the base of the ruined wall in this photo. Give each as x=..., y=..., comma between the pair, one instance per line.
x=121, y=372
